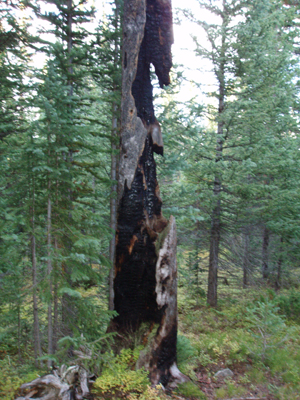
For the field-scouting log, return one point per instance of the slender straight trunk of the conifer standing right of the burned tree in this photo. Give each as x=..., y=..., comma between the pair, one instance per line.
x=215, y=232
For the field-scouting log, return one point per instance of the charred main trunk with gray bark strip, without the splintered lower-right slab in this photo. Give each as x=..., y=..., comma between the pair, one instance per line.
x=139, y=212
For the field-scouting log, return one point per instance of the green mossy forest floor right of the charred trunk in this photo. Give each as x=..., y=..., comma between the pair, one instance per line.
x=249, y=334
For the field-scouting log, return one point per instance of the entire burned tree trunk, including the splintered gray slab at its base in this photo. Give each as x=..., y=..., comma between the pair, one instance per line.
x=145, y=281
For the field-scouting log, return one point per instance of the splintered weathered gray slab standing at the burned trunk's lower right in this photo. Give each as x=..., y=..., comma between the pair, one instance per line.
x=160, y=363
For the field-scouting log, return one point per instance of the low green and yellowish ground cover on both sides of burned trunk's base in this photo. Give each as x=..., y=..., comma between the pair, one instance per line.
x=255, y=333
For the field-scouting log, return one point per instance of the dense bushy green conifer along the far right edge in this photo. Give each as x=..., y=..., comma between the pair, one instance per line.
x=267, y=101
